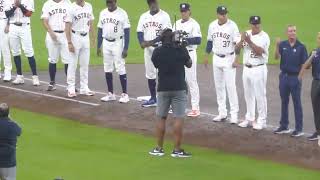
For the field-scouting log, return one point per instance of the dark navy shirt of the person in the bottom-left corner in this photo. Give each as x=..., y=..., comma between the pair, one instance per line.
x=9, y=131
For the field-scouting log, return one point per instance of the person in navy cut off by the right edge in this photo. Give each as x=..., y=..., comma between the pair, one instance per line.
x=314, y=62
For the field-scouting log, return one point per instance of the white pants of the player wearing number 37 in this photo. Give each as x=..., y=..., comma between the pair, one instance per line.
x=225, y=83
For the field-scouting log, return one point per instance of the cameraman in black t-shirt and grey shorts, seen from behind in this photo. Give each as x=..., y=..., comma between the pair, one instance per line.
x=170, y=60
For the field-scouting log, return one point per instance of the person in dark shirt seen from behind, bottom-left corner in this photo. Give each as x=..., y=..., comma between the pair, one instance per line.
x=9, y=131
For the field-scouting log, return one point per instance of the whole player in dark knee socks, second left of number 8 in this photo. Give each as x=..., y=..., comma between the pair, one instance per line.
x=53, y=14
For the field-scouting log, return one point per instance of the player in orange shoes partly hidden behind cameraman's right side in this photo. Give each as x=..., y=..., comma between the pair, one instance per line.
x=192, y=28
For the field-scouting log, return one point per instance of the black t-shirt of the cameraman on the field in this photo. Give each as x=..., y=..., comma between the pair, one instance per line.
x=170, y=62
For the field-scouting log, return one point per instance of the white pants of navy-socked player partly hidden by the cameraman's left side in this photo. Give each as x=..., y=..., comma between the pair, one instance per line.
x=151, y=71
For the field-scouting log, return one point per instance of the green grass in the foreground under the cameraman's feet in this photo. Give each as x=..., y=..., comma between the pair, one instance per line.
x=50, y=147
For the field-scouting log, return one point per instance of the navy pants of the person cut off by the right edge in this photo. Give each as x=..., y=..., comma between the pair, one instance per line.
x=315, y=97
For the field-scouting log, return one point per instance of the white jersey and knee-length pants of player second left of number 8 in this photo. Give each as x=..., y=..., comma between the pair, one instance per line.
x=55, y=13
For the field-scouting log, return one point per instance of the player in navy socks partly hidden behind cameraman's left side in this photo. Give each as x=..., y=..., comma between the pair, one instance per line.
x=150, y=26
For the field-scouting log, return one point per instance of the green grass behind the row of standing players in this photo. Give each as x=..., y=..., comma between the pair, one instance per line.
x=275, y=16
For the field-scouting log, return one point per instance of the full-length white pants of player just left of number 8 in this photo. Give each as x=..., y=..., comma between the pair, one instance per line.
x=82, y=56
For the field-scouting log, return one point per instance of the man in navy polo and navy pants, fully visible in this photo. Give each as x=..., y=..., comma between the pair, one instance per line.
x=293, y=55
